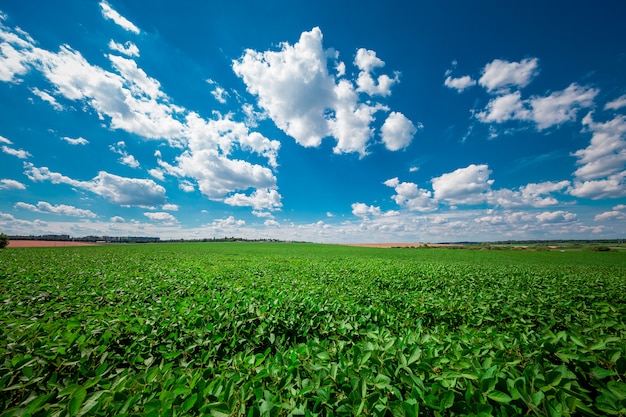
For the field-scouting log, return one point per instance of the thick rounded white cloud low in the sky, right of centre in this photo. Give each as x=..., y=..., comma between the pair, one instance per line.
x=468, y=185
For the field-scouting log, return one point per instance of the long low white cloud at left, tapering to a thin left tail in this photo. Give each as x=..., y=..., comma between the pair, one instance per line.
x=119, y=190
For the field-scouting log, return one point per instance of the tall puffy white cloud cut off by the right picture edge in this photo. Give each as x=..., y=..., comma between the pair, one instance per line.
x=606, y=153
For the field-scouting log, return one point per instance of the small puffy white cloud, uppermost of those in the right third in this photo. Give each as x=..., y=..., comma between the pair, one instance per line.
x=500, y=75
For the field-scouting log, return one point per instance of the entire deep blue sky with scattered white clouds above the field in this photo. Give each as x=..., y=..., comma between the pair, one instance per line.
x=329, y=122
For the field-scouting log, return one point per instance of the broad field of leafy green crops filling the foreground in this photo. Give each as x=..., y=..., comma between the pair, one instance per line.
x=270, y=329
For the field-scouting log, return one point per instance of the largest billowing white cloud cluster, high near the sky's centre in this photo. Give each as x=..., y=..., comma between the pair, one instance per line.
x=297, y=91
